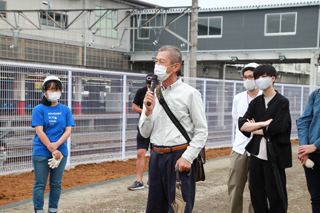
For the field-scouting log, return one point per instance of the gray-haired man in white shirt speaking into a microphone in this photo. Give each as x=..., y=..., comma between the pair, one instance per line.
x=170, y=148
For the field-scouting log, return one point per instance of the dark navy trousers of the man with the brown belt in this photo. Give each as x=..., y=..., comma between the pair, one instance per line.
x=162, y=181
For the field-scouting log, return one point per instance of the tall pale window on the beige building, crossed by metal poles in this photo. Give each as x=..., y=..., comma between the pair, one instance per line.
x=107, y=23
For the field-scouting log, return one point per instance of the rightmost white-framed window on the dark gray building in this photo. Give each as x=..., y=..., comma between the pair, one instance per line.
x=280, y=24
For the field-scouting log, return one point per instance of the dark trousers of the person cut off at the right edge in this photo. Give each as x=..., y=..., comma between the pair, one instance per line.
x=313, y=181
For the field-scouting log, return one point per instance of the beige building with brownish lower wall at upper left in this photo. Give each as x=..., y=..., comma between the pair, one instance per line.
x=73, y=32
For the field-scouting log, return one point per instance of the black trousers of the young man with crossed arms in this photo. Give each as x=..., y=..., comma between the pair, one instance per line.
x=263, y=188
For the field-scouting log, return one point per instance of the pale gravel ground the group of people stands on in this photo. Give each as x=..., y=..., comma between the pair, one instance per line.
x=212, y=196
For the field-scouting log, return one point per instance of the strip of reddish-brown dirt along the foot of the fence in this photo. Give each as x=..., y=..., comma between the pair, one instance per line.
x=89, y=173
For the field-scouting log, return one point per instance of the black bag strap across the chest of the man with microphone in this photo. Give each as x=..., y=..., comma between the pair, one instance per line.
x=171, y=115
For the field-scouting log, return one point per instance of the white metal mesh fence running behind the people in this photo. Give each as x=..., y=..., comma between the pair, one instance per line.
x=101, y=104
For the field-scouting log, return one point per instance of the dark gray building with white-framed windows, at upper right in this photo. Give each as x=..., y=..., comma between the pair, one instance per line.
x=285, y=35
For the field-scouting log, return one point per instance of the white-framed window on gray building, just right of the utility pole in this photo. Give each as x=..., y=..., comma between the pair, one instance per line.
x=210, y=27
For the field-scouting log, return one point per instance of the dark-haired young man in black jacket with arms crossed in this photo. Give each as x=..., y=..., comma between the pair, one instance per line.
x=270, y=109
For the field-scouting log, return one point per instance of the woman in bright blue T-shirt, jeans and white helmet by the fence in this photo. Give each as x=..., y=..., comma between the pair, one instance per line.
x=53, y=123
